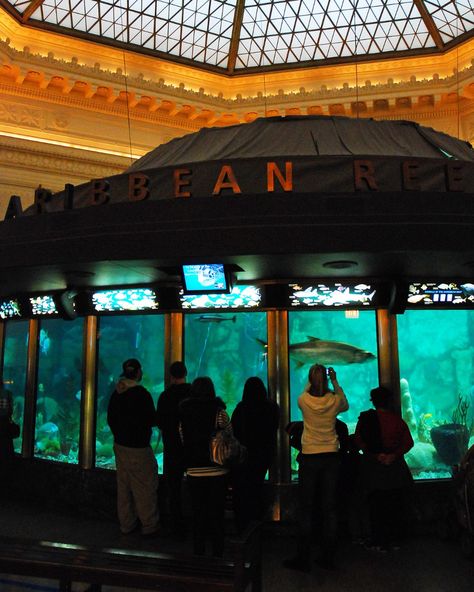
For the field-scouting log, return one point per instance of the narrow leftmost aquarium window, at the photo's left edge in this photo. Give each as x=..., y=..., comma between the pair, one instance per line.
x=14, y=369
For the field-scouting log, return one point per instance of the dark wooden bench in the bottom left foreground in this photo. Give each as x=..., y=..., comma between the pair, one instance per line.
x=240, y=571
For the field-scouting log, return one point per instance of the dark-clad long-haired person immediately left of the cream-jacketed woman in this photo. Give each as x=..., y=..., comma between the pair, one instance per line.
x=255, y=424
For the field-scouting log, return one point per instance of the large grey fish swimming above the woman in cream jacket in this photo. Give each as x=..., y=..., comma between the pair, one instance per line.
x=328, y=353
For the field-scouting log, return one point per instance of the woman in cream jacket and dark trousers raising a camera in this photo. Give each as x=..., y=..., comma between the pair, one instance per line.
x=319, y=463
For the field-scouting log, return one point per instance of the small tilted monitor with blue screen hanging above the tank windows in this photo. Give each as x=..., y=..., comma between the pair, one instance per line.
x=206, y=278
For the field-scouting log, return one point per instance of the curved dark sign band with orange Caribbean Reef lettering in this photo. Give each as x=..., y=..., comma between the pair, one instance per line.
x=260, y=176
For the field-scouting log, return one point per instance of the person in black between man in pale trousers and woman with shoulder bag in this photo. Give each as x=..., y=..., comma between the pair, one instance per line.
x=167, y=417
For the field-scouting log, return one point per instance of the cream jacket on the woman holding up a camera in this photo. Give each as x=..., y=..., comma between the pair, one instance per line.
x=319, y=417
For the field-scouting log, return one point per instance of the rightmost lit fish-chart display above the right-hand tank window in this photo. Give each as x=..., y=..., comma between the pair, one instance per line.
x=440, y=294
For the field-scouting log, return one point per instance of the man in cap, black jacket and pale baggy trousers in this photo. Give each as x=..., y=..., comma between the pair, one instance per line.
x=131, y=416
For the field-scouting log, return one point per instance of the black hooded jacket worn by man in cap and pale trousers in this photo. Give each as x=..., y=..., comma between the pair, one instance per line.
x=131, y=414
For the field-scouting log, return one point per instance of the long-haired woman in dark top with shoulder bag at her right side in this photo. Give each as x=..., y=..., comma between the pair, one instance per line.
x=200, y=415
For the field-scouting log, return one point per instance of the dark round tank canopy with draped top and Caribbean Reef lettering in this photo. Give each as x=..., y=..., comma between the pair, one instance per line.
x=280, y=198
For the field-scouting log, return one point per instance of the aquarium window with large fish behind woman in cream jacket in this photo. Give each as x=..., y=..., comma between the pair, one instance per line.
x=345, y=340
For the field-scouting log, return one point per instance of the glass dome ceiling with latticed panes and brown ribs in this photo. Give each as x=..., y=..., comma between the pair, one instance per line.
x=237, y=35
